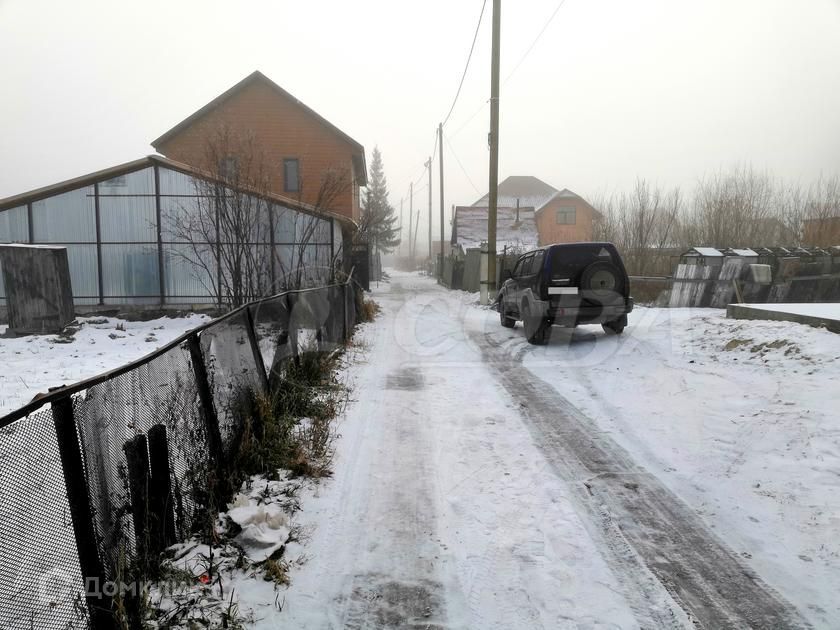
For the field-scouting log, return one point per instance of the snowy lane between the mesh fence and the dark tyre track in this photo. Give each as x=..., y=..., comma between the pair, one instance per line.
x=441, y=512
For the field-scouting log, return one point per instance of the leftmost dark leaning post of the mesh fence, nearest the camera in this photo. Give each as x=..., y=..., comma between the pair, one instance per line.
x=81, y=513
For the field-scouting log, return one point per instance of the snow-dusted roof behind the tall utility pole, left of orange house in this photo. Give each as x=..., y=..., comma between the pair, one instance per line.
x=470, y=227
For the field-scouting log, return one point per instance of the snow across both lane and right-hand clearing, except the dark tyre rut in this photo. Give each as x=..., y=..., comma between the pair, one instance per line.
x=447, y=508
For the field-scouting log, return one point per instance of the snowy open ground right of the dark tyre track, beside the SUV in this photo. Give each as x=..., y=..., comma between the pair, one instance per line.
x=740, y=418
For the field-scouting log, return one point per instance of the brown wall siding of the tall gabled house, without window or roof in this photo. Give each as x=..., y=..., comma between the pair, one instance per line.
x=283, y=130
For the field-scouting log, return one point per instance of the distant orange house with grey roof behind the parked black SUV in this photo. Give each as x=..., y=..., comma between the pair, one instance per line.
x=561, y=216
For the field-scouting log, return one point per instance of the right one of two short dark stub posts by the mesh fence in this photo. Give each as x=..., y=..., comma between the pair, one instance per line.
x=162, y=528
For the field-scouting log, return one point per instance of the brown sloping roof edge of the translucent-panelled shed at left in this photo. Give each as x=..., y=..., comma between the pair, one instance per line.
x=145, y=162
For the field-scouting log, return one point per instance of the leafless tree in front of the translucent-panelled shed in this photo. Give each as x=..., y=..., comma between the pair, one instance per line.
x=230, y=222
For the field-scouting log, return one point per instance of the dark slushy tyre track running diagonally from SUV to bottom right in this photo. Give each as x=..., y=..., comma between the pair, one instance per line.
x=651, y=534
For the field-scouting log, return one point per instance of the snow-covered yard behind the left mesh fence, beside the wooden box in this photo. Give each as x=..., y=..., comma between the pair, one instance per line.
x=34, y=363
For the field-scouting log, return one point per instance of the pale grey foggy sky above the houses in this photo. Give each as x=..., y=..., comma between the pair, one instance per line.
x=664, y=89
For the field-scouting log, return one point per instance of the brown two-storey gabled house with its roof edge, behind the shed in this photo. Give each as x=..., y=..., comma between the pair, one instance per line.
x=301, y=147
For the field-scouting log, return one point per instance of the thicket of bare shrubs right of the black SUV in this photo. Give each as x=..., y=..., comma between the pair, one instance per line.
x=739, y=207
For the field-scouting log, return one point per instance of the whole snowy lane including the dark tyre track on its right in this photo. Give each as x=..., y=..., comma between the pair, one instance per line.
x=468, y=494
